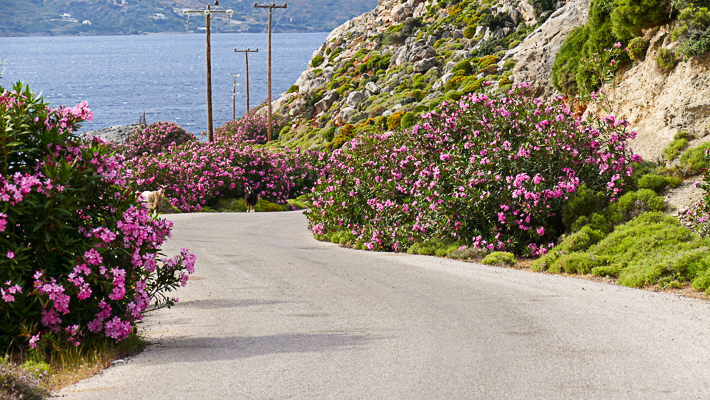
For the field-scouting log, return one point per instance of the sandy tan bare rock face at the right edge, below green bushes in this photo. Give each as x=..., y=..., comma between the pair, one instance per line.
x=658, y=104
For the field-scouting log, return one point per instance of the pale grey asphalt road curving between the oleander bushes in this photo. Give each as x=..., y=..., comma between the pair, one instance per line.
x=274, y=314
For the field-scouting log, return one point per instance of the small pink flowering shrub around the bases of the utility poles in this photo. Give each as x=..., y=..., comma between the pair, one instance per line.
x=251, y=128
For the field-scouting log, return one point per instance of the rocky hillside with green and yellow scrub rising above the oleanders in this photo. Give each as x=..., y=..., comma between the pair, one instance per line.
x=385, y=67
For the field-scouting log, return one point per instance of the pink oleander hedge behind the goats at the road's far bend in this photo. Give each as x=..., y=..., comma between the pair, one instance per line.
x=195, y=174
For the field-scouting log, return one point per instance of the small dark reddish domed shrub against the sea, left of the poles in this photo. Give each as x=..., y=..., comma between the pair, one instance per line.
x=155, y=138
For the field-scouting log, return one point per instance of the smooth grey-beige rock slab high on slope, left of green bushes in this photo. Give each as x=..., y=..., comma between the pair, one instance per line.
x=536, y=55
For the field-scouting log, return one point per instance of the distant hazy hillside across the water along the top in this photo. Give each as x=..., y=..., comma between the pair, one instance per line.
x=111, y=17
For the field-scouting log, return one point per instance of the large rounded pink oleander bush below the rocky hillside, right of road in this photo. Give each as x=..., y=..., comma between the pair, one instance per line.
x=490, y=173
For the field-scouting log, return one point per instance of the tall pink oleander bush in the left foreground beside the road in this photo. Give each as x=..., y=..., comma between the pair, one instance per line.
x=78, y=257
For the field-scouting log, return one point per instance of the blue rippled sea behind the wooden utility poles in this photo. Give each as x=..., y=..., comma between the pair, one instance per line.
x=164, y=75
